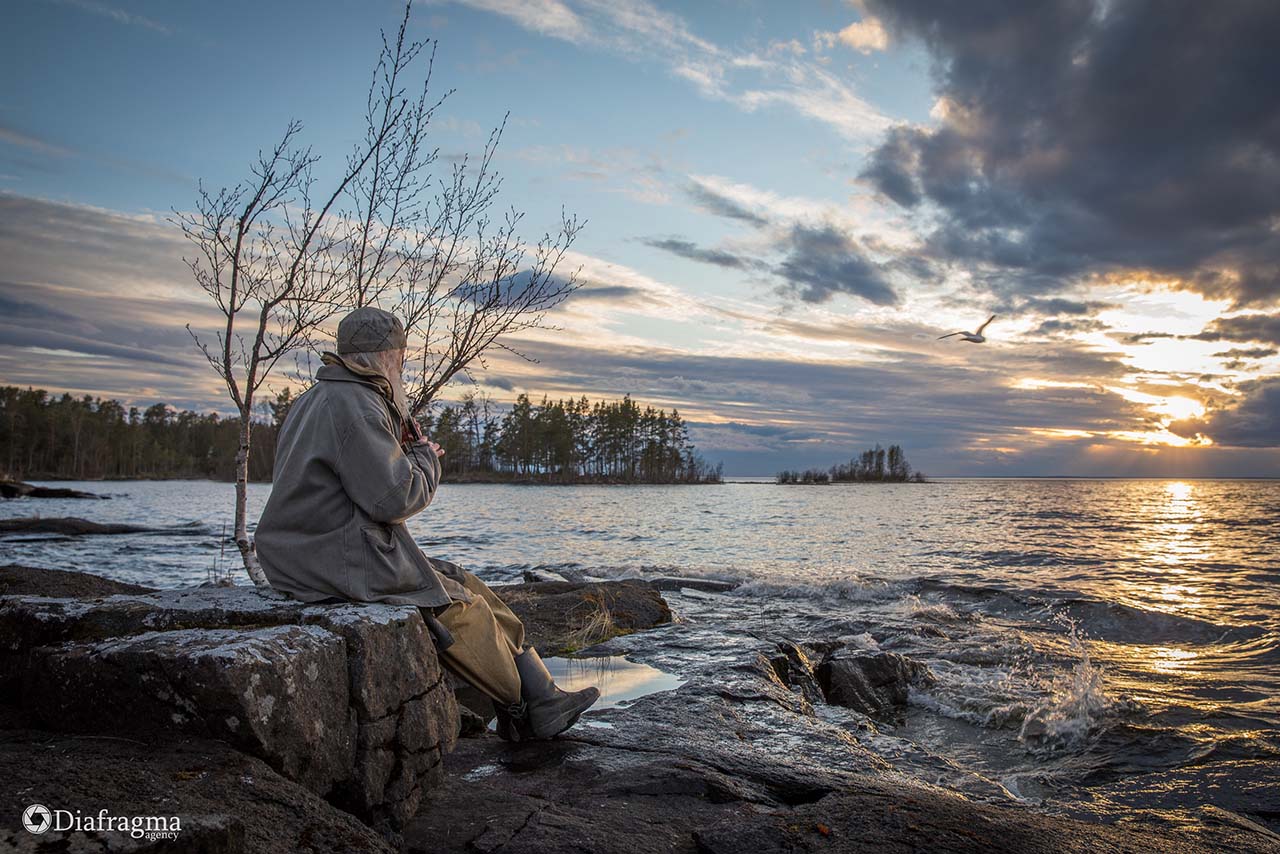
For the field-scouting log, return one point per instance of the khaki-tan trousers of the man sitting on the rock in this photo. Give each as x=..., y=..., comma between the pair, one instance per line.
x=487, y=638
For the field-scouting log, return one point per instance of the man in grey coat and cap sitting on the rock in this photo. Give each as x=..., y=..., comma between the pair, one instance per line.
x=350, y=469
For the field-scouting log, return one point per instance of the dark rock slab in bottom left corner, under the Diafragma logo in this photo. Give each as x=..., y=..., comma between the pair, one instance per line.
x=226, y=801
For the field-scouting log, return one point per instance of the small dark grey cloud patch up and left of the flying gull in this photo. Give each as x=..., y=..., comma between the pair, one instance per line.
x=824, y=261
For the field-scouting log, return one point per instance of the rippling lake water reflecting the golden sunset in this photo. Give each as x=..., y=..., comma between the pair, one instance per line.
x=1099, y=646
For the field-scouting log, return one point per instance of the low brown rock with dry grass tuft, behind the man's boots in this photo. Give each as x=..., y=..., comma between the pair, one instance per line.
x=565, y=616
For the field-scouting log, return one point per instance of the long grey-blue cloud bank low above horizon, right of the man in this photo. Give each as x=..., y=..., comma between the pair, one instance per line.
x=950, y=413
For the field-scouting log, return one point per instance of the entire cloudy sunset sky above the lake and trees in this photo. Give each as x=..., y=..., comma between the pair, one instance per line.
x=787, y=205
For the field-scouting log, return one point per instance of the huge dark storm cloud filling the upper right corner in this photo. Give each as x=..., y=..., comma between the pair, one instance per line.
x=1085, y=138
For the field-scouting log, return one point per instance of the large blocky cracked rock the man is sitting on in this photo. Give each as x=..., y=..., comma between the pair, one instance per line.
x=349, y=701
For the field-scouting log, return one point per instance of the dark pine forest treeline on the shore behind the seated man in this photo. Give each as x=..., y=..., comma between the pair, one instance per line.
x=47, y=436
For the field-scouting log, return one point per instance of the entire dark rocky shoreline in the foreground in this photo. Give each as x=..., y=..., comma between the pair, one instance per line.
x=269, y=725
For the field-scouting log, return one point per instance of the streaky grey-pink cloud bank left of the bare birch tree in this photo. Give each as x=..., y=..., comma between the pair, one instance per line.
x=97, y=302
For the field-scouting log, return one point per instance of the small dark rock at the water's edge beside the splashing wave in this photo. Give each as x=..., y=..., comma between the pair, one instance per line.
x=872, y=683
